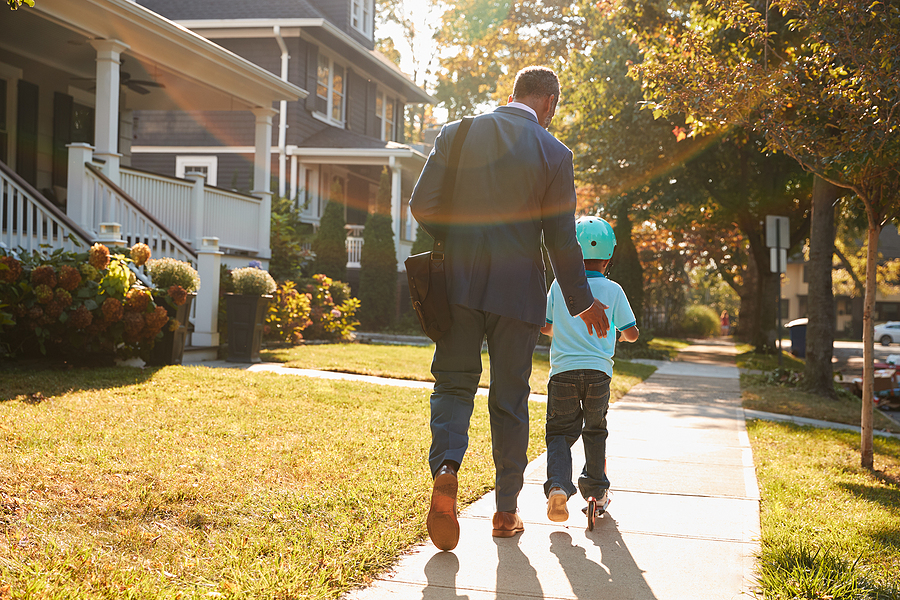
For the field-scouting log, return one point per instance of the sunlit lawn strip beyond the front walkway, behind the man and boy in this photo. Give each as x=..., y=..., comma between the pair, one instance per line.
x=414, y=362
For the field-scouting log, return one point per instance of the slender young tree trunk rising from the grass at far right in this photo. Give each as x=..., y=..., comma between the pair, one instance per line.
x=866, y=448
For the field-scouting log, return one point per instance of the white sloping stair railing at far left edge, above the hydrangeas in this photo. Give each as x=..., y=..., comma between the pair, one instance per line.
x=31, y=222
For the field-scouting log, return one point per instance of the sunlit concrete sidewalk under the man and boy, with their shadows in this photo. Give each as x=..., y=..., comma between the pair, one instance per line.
x=684, y=521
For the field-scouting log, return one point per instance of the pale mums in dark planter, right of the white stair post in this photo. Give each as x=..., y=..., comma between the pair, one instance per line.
x=246, y=311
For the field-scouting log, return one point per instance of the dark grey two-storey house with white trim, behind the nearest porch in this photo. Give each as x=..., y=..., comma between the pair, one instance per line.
x=333, y=144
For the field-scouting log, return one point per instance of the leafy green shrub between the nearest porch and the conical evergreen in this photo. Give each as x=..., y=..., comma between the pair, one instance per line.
x=290, y=261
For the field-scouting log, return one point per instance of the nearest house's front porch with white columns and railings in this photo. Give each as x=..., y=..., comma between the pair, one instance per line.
x=72, y=75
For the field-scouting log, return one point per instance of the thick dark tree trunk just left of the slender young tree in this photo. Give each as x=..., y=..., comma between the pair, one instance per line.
x=818, y=375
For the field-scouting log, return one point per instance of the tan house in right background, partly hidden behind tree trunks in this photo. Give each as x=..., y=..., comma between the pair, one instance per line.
x=848, y=311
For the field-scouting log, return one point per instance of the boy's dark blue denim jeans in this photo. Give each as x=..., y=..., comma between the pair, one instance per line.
x=576, y=397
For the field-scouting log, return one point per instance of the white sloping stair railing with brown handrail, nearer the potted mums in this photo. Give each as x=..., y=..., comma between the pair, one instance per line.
x=110, y=203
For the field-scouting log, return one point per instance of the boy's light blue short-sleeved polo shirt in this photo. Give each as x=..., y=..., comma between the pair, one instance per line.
x=572, y=347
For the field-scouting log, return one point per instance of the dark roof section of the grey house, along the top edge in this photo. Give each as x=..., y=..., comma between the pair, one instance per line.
x=180, y=10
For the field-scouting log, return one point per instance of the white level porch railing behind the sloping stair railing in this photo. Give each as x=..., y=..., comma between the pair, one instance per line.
x=194, y=210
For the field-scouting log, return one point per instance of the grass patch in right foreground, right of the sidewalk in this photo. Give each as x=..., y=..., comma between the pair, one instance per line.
x=822, y=514
